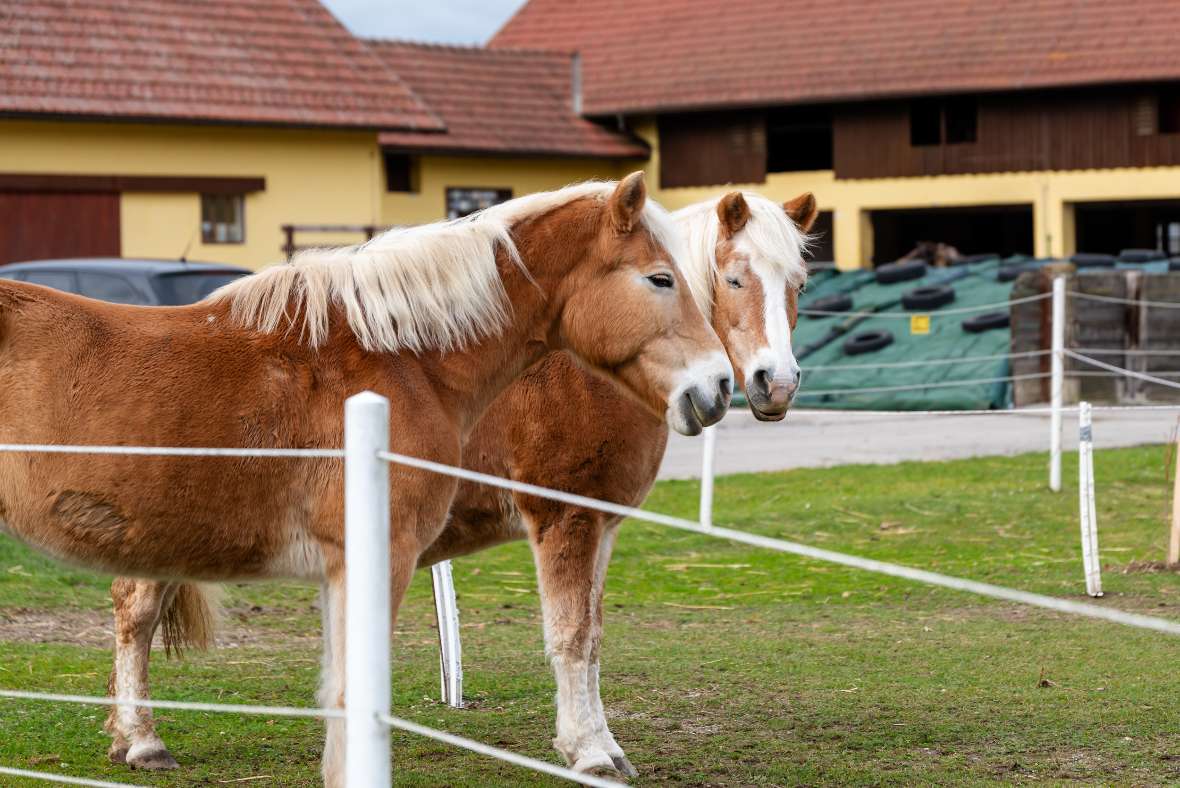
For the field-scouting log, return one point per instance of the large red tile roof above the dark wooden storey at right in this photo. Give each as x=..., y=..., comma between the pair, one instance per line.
x=655, y=55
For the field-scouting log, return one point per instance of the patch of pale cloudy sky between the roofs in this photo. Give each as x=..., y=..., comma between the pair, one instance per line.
x=447, y=22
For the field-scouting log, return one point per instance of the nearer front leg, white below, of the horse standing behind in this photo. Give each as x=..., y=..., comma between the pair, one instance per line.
x=566, y=546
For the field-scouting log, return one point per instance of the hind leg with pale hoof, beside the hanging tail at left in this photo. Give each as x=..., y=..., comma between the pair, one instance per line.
x=139, y=607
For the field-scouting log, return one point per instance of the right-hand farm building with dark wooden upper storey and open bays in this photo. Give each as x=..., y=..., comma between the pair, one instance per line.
x=1037, y=128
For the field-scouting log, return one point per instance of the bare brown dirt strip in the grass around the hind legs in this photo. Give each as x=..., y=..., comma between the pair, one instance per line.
x=96, y=629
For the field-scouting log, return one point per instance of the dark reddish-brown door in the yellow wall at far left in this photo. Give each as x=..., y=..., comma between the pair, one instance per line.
x=41, y=226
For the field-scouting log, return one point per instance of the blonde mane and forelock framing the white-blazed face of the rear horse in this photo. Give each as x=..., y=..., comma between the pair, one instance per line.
x=770, y=231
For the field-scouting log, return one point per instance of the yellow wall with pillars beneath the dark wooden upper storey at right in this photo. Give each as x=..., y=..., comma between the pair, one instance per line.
x=1052, y=196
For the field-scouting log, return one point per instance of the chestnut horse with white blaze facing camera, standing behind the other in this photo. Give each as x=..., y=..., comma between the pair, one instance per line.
x=745, y=268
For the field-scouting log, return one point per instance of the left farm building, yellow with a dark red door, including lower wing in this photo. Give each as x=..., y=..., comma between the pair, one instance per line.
x=168, y=130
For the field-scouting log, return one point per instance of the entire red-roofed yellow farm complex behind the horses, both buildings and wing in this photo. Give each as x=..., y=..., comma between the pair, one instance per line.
x=234, y=133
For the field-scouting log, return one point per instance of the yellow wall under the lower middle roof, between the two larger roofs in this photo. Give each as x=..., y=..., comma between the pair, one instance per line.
x=523, y=176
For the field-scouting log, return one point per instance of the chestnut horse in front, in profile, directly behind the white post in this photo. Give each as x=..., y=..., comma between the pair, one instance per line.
x=438, y=319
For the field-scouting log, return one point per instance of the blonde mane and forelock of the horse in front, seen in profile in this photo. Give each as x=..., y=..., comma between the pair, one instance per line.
x=434, y=287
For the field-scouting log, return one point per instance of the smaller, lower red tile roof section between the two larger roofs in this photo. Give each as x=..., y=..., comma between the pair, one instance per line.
x=504, y=102
